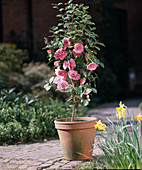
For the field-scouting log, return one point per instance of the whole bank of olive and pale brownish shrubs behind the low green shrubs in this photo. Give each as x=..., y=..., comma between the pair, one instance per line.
x=28, y=78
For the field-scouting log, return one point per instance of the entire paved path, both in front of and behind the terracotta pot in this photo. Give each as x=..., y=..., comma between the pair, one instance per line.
x=48, y=155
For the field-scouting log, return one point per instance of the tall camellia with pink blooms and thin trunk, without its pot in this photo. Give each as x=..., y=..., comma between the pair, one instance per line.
x=73, y=48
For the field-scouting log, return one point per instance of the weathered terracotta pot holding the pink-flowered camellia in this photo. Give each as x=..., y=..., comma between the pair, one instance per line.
x=76, y=137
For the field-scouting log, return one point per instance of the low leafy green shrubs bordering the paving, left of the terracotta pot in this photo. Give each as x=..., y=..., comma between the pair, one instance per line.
x=24, y=119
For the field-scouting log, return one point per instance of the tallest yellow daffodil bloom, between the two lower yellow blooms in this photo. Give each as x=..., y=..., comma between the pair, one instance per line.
x=121, y=110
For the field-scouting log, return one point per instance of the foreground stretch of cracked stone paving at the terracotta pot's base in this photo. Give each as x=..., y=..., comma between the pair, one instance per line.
x=35, y=156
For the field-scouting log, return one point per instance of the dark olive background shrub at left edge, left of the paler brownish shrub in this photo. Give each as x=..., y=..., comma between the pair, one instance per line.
x=11, y=60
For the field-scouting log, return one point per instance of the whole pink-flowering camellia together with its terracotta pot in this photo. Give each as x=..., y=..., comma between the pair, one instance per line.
x=73, y=49
